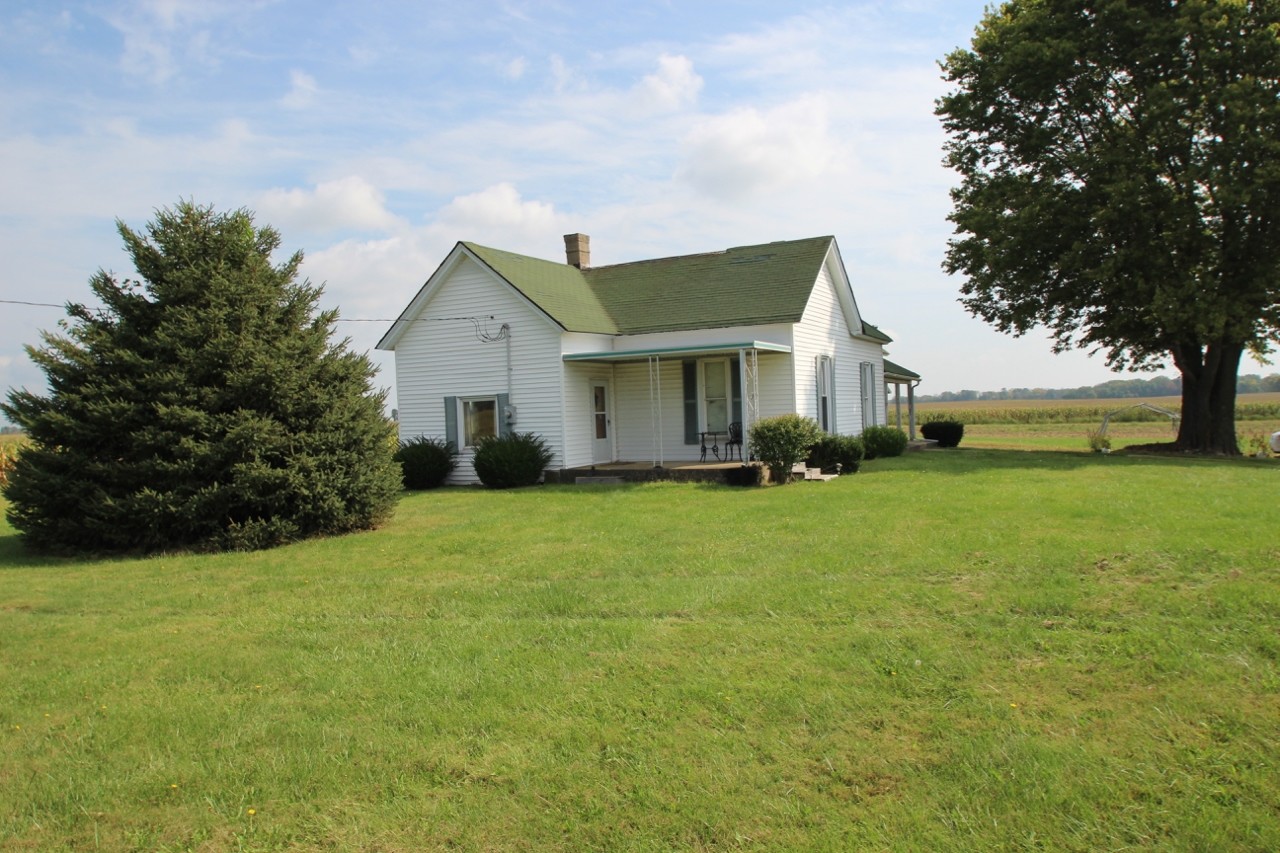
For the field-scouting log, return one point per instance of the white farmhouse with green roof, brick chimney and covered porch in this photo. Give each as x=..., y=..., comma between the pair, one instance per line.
x=659, y=361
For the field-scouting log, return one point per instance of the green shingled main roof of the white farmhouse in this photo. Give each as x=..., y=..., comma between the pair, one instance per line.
x=744, y=286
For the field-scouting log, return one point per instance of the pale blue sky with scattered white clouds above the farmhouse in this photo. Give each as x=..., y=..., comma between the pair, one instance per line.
x=376, y=136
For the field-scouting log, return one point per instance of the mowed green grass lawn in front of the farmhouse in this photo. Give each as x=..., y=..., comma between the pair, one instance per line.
x=957, y=650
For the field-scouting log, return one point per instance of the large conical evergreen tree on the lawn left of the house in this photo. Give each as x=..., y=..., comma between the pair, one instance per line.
x=204, y=407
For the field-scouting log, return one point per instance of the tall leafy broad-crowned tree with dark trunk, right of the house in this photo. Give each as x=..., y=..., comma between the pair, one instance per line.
x=1121, y=165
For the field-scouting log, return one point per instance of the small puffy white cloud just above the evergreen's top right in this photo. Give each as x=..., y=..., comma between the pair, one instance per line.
x=349, y=203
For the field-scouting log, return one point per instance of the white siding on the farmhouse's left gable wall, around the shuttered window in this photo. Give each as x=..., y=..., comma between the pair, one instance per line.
x=438, y=359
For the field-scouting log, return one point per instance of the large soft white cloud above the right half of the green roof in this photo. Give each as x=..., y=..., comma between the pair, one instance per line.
x=747, y=152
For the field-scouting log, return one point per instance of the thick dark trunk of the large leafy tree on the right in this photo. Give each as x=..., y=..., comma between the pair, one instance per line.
x=1209, y=398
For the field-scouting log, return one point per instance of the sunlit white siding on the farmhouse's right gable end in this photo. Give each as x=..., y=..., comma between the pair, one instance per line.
x=824, y=331
